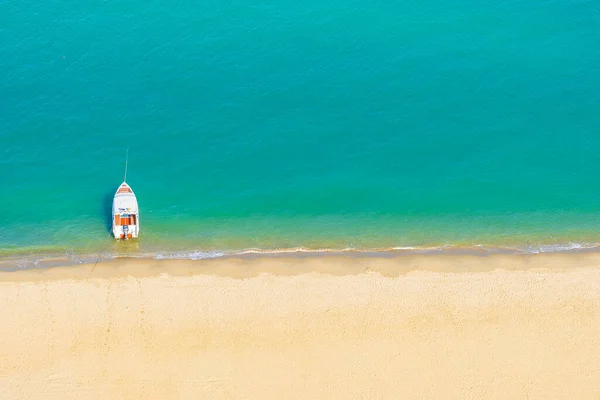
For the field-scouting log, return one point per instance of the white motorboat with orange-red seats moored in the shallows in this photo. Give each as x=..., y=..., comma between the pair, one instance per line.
x=126, y=217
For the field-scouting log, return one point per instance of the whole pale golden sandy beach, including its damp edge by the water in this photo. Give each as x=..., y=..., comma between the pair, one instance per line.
x=305, y=327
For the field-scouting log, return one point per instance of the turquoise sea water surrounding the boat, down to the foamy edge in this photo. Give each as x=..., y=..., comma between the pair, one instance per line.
x=284, y=125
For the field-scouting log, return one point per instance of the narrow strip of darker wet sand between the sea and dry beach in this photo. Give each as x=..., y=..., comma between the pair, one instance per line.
x=386, y=264
